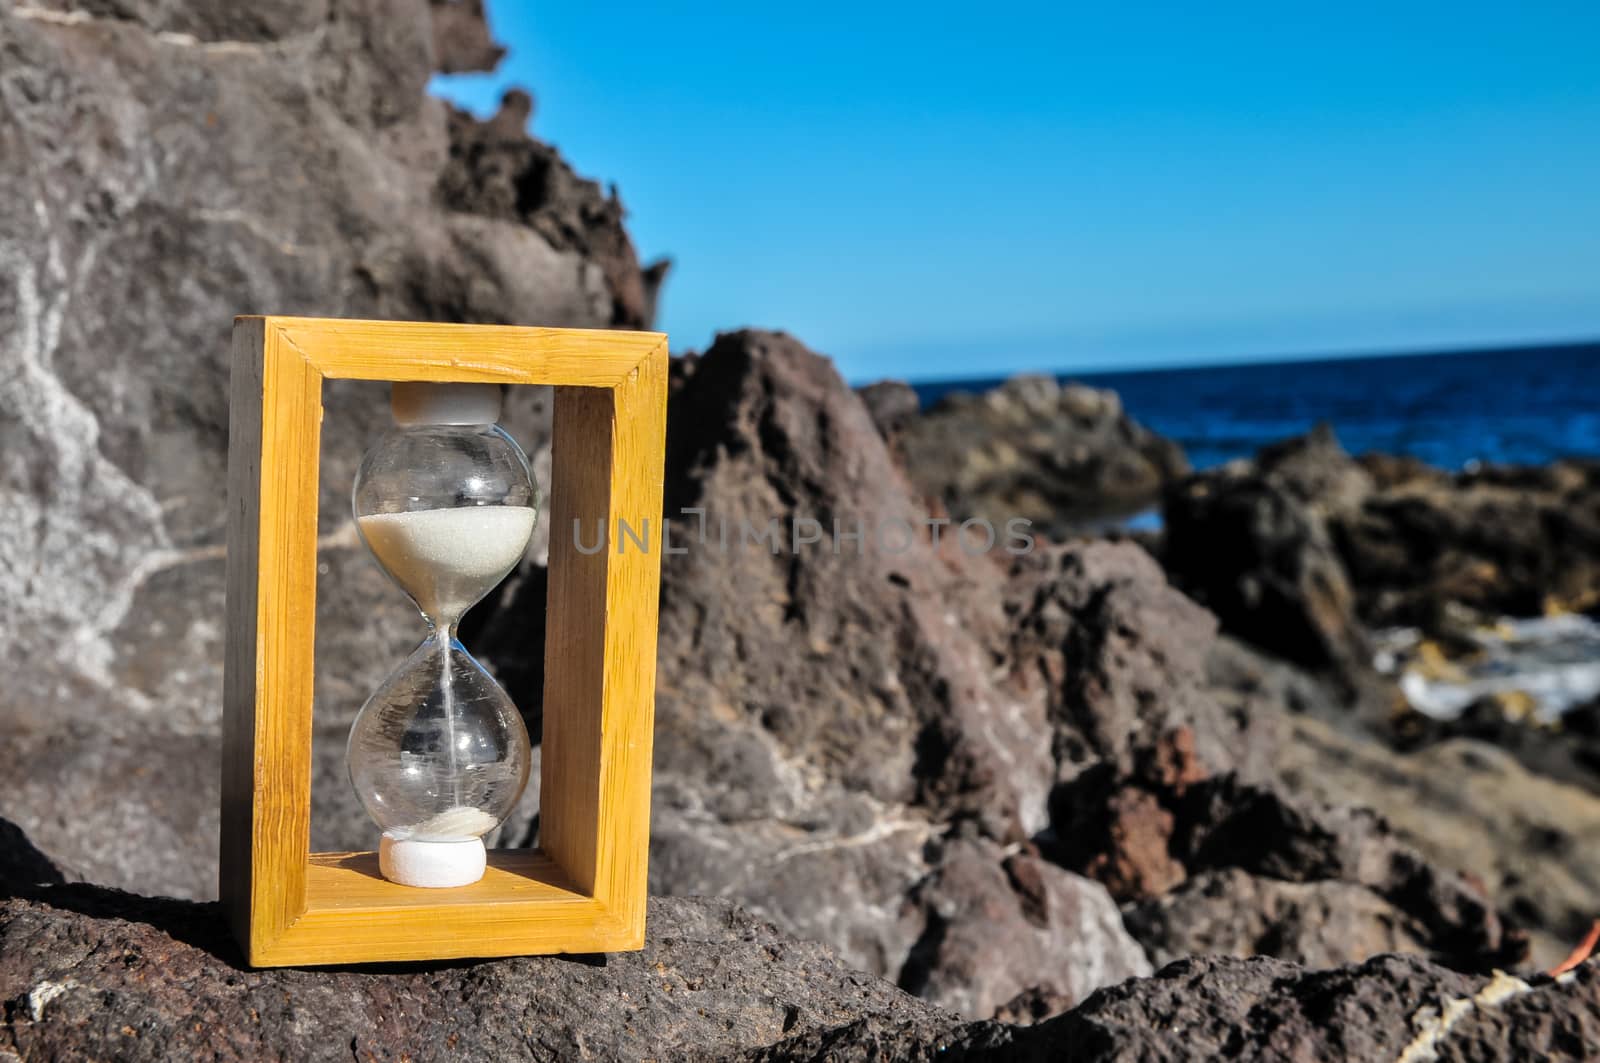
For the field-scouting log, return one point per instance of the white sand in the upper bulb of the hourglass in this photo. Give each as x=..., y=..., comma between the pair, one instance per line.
x=447, y=560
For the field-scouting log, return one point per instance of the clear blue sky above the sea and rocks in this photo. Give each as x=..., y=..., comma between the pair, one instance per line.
x=958, y=191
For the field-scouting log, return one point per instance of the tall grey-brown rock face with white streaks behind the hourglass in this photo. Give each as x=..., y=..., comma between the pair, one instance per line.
x=162, y=169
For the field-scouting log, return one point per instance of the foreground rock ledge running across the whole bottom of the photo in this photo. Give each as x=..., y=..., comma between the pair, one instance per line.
x=89, y=973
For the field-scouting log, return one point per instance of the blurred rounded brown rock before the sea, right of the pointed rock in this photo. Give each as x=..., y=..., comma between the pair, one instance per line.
x=1065, y=459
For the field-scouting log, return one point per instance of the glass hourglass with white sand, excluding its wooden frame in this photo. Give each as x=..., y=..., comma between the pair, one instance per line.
x=439, y=755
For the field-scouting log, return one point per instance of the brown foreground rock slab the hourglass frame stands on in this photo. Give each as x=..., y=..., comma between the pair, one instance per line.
x=97, y=974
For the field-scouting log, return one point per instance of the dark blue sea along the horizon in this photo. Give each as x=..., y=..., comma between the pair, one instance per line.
x=1524, y=406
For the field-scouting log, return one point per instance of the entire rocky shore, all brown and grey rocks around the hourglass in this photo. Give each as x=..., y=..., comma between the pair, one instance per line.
x=1110, y=796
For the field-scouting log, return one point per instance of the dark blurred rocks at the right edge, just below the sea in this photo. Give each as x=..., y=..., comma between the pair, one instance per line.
x=1303, y=548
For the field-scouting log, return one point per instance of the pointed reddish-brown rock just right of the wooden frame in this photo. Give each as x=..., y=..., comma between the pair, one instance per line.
x=764, y=438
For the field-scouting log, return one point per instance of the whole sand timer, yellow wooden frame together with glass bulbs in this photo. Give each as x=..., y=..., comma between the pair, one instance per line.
x=439, y=755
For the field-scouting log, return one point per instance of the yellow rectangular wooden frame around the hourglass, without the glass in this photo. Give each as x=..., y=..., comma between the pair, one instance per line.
x=585, y=889
